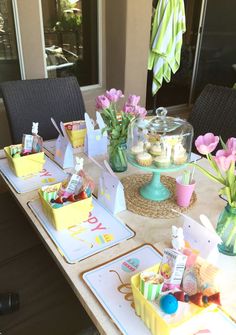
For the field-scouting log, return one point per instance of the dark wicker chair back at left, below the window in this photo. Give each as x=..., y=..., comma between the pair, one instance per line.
x=38, y=100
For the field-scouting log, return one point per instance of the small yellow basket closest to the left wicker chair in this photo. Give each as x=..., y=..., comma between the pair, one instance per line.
x=25, y=165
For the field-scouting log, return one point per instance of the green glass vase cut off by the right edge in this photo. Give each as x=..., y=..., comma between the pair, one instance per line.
x=226, y=229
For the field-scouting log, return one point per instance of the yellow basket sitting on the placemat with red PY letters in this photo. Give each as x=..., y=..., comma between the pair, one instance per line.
x=68, y=215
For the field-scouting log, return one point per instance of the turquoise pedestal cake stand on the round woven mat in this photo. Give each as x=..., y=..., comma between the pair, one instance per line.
x=155, y=190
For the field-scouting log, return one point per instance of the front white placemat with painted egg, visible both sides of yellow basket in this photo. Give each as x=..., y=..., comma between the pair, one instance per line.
x=109, y=283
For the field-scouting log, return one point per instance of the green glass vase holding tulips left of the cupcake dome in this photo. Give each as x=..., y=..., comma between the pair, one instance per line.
x=117, y=157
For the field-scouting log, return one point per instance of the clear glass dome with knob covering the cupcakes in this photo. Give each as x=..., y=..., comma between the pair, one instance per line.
x=161, y=143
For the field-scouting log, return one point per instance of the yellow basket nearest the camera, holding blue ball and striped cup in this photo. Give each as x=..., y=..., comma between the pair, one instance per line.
x=159, y=325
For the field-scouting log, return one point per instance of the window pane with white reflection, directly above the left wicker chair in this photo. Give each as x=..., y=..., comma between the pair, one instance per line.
x=70, y=30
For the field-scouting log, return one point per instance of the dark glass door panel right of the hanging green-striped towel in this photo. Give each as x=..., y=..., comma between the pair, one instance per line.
x=217, y=58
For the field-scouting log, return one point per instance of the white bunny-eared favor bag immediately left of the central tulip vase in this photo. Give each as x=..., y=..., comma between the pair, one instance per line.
x=95, y=140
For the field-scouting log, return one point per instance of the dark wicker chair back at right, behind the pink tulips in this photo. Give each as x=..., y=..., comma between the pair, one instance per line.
x=215, y=111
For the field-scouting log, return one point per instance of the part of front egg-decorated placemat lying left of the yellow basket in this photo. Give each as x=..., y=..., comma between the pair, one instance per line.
x=104, y=281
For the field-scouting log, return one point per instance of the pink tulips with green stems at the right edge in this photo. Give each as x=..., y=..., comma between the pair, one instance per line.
x=222, y=163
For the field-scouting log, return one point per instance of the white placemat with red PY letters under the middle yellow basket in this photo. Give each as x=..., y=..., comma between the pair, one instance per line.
x=101, y=231
